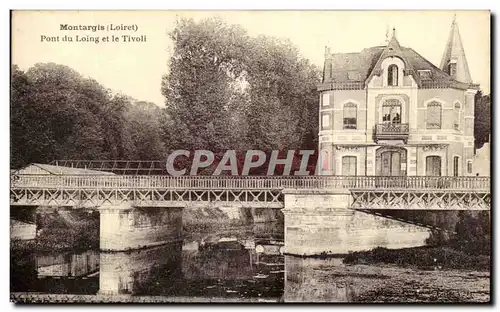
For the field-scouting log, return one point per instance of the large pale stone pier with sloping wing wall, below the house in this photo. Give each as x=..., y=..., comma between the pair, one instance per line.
x=321, y=221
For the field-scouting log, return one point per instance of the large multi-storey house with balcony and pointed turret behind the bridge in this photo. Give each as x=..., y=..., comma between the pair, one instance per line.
x=387, y=111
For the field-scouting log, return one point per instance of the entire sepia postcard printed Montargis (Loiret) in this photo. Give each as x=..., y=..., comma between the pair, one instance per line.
x=250, y=156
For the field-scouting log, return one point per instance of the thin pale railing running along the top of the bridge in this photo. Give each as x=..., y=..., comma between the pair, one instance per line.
x=248, y=182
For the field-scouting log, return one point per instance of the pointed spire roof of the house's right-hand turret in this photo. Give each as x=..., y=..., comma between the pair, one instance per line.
x=454, y=52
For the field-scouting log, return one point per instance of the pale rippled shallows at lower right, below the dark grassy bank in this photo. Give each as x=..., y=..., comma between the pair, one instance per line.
x=314, y=280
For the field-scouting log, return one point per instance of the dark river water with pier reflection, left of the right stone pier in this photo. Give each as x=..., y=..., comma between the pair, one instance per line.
x=238, y=266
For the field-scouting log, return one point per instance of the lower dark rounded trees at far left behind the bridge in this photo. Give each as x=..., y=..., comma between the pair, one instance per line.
x=59, y=114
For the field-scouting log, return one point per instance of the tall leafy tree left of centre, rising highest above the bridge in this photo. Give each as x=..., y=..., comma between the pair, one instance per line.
x=198, y=88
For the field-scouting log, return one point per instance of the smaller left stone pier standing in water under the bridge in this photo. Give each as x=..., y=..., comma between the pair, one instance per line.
x=126, y=227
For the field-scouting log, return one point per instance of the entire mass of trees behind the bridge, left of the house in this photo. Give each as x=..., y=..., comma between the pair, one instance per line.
x=224, y=90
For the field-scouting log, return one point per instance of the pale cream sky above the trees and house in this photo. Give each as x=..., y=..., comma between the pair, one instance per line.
x=136, y=68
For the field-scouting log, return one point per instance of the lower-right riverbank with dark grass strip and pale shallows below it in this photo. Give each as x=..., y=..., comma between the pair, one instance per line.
x=421, y=274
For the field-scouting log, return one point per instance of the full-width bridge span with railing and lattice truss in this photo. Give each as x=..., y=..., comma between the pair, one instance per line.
x=369, y=192
